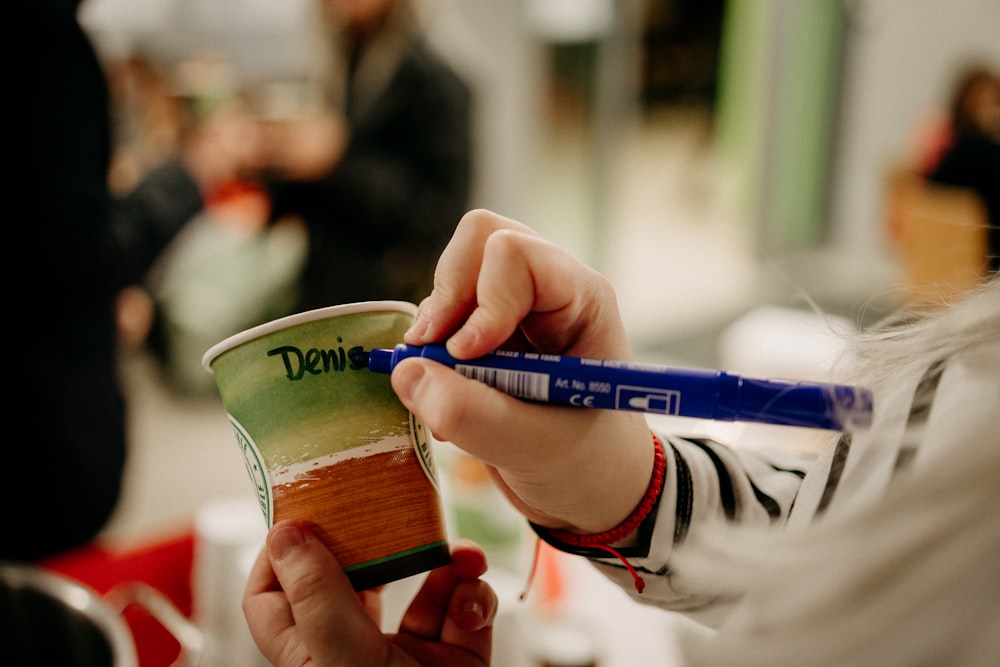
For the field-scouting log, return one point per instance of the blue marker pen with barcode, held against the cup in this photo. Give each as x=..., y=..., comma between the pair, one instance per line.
x=620, y=385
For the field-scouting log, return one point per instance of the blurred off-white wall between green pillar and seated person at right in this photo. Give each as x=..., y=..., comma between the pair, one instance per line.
x=902, y=56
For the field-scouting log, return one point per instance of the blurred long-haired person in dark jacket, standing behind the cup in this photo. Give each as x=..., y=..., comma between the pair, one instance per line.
x=381, y=172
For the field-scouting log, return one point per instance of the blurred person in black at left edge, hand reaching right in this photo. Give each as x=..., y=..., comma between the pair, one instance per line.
x=75, y=249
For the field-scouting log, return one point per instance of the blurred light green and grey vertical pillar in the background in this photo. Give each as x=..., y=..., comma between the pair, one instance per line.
x=776, y=115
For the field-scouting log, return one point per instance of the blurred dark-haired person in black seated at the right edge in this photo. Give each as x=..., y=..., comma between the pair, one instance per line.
x=970, y=154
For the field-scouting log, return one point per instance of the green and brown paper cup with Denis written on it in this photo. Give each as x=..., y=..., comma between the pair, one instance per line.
x=326, y=441
